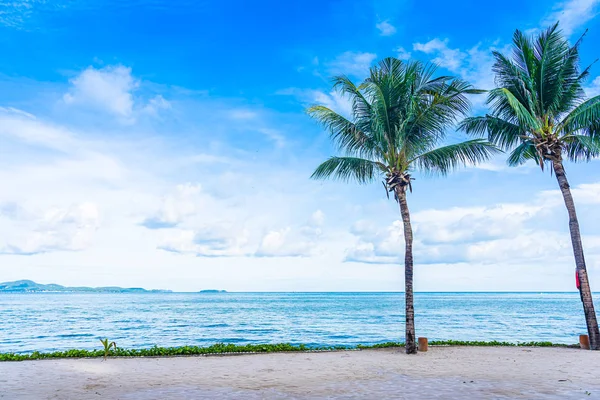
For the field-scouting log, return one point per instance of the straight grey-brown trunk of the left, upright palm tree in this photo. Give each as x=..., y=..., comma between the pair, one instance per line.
x=411, y=347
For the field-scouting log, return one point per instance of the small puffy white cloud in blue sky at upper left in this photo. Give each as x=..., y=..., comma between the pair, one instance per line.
x=108, y=89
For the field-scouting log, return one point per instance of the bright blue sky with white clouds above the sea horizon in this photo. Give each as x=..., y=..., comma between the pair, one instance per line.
x=164, y=145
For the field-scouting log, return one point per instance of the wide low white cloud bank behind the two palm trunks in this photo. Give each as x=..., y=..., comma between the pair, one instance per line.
x=501, y=234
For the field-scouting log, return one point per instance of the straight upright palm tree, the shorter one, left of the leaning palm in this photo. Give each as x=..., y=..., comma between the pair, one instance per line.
x=399, y=116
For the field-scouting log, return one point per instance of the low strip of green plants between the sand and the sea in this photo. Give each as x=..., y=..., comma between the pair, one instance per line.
x=222, y=348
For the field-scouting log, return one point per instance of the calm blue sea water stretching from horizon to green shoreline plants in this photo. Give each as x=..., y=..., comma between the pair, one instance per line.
x=55, y=321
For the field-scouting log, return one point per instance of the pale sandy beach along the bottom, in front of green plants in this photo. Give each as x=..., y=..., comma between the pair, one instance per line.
x=441, y=373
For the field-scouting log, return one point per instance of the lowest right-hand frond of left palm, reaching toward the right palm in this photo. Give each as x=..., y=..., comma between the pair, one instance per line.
x=447, y=158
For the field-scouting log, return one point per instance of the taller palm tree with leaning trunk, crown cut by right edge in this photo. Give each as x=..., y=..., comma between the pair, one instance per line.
x=539, y=111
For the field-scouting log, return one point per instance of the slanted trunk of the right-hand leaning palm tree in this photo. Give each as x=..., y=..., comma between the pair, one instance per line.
x=584, y=285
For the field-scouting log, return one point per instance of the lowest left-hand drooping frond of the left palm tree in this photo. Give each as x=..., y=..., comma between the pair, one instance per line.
x=348, y=169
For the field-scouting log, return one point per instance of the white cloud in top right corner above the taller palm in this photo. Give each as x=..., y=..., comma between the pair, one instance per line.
x=572, y=14
